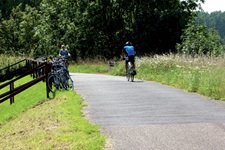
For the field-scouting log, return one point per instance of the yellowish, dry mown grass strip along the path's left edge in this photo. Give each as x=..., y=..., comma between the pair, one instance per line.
x=55, y=124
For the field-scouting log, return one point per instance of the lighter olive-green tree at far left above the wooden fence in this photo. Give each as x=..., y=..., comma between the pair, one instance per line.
x=17, y=32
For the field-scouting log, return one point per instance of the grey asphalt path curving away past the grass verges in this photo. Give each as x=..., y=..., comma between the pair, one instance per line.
x=144, y=115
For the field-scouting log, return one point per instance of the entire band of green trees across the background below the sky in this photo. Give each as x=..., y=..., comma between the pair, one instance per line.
x=93, y=28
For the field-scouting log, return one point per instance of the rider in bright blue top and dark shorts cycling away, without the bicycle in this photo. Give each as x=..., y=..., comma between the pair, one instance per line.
x=128, y=54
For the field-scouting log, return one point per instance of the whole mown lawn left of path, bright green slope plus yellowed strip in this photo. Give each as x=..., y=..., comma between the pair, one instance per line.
x=34, y=122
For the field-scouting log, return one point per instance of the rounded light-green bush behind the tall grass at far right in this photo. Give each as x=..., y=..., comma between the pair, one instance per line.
x=198, y=40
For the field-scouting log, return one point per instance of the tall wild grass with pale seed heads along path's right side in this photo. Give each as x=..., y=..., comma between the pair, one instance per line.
x=204, y=75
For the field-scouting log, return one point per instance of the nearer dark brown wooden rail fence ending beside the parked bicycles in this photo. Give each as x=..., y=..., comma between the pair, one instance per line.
x=39, y=70
